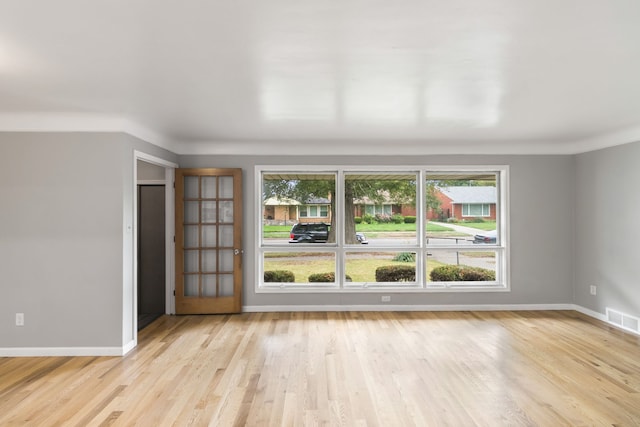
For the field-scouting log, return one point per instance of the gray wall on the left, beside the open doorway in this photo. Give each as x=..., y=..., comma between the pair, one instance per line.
x=66, y=202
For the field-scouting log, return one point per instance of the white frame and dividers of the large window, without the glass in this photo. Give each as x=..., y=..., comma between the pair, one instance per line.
x=340, y=249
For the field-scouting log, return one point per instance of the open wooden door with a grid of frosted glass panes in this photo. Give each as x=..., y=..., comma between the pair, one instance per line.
x=208, y=241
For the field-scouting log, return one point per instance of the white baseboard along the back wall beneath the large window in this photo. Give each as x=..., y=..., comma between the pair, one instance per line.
x=464, y=307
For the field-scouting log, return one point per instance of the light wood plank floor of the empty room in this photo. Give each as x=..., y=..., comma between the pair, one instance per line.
x=352, y=369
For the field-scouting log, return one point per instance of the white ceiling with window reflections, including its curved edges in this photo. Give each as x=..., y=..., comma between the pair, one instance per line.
x=327, y=76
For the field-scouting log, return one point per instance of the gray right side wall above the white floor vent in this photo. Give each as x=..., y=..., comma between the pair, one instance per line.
x=607, y=229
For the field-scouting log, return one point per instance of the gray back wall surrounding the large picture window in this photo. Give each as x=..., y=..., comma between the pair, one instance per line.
x=541, y=228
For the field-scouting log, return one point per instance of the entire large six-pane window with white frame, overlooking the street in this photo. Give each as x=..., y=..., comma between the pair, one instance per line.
x=407, y=229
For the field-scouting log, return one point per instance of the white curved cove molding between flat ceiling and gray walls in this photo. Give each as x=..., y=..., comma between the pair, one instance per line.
x=90, y=122
